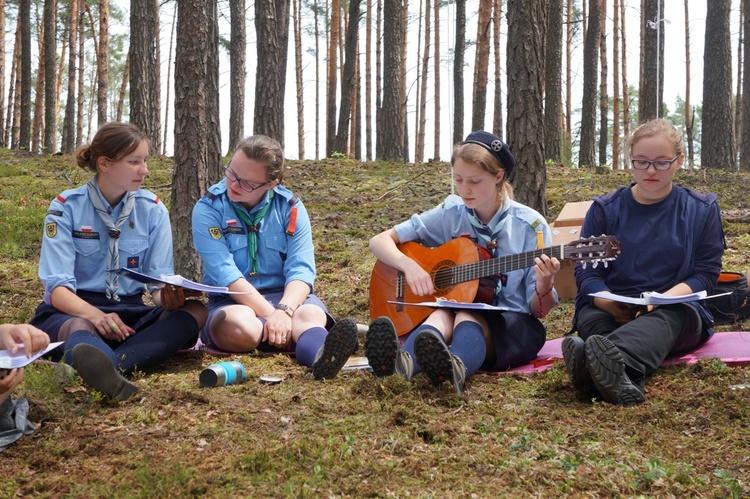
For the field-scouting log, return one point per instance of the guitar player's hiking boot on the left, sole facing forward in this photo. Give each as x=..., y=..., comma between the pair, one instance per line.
x=383, y=350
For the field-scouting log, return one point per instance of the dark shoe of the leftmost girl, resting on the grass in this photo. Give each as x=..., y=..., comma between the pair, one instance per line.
x=97, y=370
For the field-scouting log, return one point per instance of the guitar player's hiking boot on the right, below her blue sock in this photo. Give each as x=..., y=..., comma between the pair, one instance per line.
x=437, y=362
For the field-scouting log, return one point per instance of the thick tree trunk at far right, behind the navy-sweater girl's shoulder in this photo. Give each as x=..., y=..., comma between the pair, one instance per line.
x=717, y=144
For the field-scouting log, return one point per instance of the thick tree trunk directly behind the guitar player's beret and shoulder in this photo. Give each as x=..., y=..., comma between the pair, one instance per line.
x=525, y=95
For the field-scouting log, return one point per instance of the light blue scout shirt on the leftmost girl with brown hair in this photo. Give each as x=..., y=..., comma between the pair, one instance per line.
x=75, y=243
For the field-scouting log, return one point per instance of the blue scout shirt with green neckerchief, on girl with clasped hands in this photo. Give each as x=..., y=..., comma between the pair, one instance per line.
x=285, y=251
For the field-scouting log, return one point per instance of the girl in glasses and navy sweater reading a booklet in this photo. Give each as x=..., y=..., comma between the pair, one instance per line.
x=672, y=242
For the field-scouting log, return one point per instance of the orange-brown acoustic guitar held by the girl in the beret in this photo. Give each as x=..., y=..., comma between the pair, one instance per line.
x=465, y=272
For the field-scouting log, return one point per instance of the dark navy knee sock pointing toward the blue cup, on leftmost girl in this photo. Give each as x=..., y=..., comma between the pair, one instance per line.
x=155, y=344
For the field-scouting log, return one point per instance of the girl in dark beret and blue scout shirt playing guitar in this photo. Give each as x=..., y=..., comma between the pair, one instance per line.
x=450, y=345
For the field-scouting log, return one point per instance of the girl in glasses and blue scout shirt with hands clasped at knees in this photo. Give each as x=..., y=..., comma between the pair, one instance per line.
x=254, y=237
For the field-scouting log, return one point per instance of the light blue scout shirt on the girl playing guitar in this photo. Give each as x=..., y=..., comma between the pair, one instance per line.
x=450, y=220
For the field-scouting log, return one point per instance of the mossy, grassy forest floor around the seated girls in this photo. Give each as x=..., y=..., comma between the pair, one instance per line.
x=357, y=435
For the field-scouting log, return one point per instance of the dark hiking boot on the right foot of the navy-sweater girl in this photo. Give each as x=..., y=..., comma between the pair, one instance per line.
x=607, y=369
